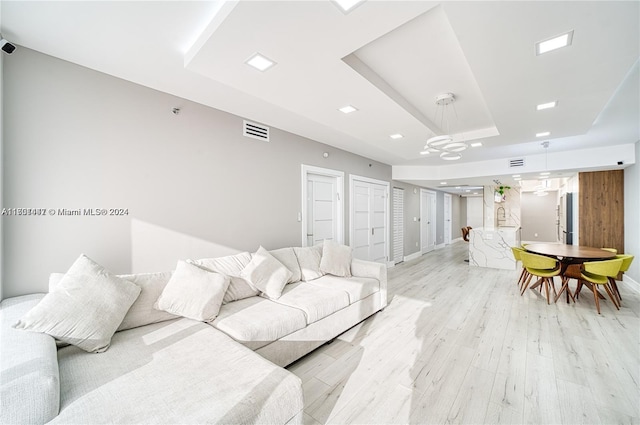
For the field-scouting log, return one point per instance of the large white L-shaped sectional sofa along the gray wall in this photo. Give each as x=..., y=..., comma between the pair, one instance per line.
x=162, y=368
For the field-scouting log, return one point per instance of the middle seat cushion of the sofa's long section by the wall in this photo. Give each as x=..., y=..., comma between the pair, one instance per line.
x=317, y=302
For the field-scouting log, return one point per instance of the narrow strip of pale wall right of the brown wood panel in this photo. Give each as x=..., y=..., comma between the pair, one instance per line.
x=631, y=209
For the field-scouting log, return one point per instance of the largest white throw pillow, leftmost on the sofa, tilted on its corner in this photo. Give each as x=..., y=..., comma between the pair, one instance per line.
x=86, y=308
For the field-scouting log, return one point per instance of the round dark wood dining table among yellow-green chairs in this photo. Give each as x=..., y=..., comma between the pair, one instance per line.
x=568, y=255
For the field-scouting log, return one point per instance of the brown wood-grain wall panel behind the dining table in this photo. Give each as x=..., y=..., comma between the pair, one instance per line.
x=601, y=209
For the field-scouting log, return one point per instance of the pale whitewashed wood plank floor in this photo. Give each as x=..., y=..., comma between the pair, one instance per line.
x=458, y=344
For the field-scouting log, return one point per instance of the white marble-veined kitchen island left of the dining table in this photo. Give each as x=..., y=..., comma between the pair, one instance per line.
x=491, y=247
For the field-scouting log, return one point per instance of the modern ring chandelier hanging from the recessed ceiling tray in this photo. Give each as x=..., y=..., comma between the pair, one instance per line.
x=448, y=117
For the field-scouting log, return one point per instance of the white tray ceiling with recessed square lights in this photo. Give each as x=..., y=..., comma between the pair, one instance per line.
x=390, y=59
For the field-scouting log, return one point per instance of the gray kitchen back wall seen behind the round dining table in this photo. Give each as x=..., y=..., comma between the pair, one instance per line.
x=539, y=216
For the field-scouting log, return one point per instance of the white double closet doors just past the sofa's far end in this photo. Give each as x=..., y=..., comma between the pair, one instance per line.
x=369, y=212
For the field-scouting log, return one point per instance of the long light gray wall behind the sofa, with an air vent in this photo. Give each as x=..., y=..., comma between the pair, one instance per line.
x=76, y=138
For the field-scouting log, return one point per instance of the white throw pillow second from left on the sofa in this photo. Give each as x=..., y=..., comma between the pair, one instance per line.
x=193, y=292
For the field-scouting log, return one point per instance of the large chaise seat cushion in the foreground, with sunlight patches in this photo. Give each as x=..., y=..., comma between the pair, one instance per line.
x=179, y=371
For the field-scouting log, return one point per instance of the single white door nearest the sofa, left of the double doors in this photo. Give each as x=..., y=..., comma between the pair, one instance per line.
x=322, y=208
